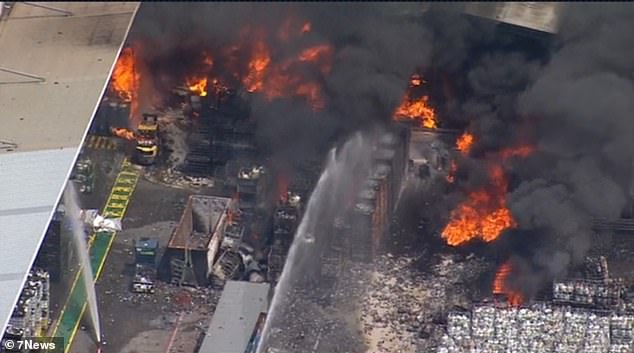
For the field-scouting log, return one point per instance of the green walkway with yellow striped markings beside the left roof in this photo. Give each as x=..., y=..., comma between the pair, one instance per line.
x=100, y=244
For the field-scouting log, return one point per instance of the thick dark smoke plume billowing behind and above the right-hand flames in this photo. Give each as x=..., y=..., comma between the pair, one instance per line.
x=576, y=108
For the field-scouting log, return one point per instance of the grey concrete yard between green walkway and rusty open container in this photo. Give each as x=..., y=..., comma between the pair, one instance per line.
x=173, y=318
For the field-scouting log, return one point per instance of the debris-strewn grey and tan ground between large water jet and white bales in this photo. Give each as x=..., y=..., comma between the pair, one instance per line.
x=390, y=305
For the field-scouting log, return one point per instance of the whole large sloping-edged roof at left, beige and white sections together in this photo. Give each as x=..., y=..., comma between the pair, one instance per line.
x=55, y=61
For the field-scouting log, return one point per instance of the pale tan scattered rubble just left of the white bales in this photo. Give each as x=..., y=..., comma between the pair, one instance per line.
x=401, y=302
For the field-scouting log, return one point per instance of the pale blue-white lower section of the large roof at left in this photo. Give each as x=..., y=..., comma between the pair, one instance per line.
x=30, y=184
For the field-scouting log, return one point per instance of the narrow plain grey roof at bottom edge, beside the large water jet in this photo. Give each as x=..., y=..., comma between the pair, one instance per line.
x=236, y=315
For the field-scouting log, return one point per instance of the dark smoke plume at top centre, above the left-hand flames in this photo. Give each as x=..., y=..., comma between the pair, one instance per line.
x=374, y=55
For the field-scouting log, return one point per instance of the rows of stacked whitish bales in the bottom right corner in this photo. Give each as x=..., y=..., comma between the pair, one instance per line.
x=537, y=328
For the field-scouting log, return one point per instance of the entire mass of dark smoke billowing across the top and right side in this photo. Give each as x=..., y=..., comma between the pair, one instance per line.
x=572, y=97
